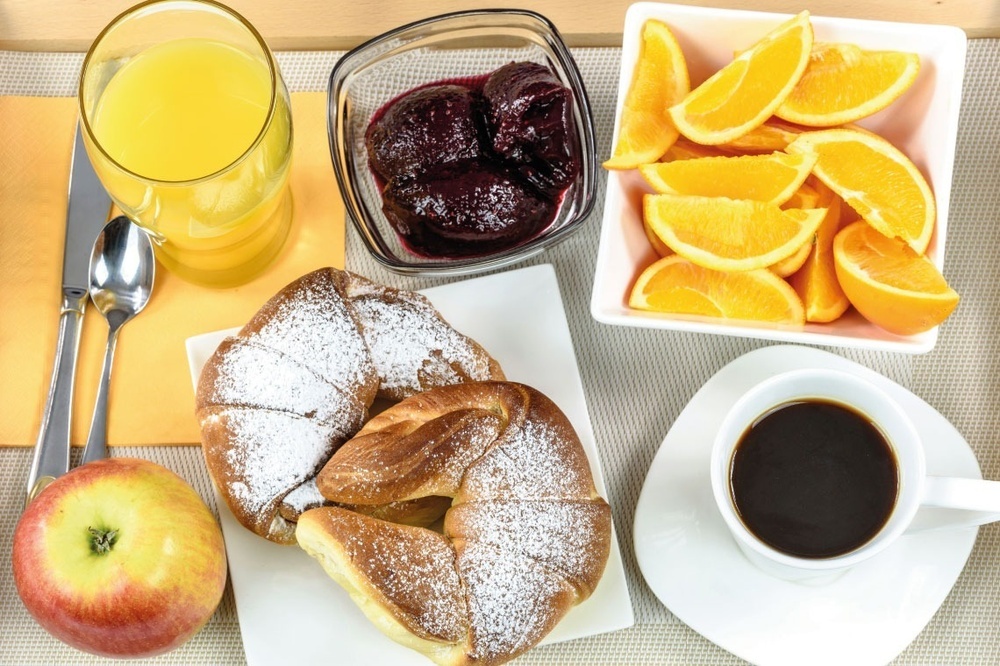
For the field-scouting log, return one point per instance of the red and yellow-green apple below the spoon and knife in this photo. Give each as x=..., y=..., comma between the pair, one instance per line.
x=120, y=558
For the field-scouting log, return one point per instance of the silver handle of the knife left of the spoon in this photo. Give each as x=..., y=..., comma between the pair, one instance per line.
x=52, y=448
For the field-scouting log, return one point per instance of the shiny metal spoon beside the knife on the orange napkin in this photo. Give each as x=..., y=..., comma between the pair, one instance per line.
x=121, y=279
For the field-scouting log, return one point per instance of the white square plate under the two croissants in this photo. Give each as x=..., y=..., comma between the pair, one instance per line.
x=518, y=317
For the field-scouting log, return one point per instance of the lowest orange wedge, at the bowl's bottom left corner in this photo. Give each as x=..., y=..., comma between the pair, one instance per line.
x=678, y=286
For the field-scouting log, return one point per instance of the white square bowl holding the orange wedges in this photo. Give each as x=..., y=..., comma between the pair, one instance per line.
x=923, y=123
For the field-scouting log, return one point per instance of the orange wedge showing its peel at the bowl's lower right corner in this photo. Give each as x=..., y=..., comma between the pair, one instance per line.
x=890, y=285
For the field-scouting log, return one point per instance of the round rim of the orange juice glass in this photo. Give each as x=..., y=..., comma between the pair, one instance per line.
x=272, y=67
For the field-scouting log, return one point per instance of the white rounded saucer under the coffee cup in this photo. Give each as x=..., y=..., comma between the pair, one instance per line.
x=688, y=558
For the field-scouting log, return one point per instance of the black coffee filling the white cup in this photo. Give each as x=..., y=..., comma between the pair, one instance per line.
x=814, y=479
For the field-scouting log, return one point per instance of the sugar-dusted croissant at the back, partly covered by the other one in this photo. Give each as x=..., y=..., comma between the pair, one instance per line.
x=277, y=399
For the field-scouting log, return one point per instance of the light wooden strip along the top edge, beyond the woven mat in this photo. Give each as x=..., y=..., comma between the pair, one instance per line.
x=70, y=25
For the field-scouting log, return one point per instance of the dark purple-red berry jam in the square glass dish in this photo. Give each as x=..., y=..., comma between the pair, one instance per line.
x=473, y=166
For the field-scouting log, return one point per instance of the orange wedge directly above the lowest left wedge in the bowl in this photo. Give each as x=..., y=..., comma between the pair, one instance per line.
x=729, y=234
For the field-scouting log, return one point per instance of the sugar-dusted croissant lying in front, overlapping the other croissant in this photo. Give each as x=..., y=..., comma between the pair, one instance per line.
x=526, y=538
